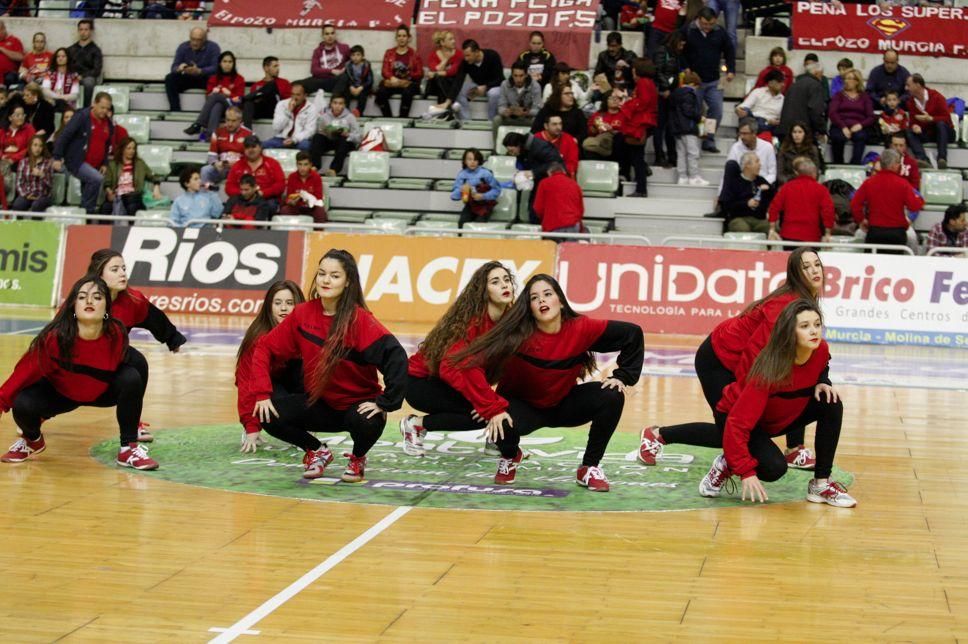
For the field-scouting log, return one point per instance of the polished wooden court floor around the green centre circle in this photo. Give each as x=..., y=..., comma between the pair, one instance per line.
x=94, y=553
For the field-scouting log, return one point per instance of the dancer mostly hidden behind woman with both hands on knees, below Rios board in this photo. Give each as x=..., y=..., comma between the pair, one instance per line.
x=281, y=298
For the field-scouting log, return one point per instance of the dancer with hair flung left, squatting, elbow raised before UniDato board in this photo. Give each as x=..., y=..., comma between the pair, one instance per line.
x=536, y=353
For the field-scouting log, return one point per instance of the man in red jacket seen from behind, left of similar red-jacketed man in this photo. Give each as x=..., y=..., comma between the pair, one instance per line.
x=803, y=207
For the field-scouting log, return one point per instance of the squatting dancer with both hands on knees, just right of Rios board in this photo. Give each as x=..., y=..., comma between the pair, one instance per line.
x=342, y=347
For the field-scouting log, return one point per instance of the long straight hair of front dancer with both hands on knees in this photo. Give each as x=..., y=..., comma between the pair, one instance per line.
x=335, y=349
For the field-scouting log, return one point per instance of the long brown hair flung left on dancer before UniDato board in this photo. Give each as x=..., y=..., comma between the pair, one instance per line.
x=493, y=349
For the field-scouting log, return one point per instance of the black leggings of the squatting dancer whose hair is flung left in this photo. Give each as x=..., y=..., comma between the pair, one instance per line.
x=584, y=403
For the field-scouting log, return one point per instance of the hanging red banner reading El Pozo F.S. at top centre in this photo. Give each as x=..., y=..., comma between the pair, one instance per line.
x=503, y=25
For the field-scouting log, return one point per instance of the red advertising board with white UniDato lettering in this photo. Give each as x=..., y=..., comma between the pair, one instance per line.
x=666, y=290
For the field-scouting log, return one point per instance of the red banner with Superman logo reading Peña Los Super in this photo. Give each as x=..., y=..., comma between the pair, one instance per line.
x=916, y=31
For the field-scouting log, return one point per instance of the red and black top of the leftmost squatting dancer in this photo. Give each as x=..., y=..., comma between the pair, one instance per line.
x=83, y=379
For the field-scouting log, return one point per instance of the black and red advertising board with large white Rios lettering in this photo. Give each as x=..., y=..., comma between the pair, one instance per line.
x=192, y=270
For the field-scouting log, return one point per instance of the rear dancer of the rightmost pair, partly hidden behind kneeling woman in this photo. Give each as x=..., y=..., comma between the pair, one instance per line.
x=728, y=353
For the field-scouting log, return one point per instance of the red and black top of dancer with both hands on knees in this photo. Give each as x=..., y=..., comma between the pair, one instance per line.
x=354, y=379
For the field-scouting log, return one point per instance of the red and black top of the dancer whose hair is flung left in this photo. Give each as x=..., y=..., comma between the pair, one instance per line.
x=547, y=365
